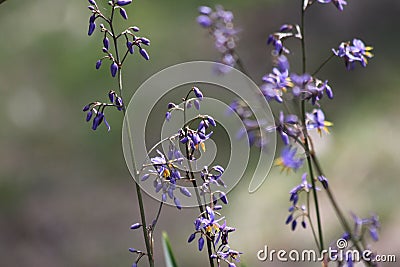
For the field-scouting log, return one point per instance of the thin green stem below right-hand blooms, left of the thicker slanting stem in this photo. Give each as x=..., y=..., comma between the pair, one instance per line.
x=311, y=171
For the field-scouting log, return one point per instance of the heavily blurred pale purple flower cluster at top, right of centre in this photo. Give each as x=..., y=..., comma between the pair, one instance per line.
x=219, y=22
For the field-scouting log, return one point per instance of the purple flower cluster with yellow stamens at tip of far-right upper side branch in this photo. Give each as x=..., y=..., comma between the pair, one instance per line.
x=354, y=52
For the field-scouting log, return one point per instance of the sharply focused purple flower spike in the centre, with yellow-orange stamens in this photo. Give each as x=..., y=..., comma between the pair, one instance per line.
x=208, y=226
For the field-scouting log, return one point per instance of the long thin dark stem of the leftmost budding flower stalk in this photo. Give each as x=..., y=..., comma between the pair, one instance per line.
x=146, y=234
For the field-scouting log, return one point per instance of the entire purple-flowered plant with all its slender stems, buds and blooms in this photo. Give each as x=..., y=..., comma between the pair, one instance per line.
x=172, y=171
